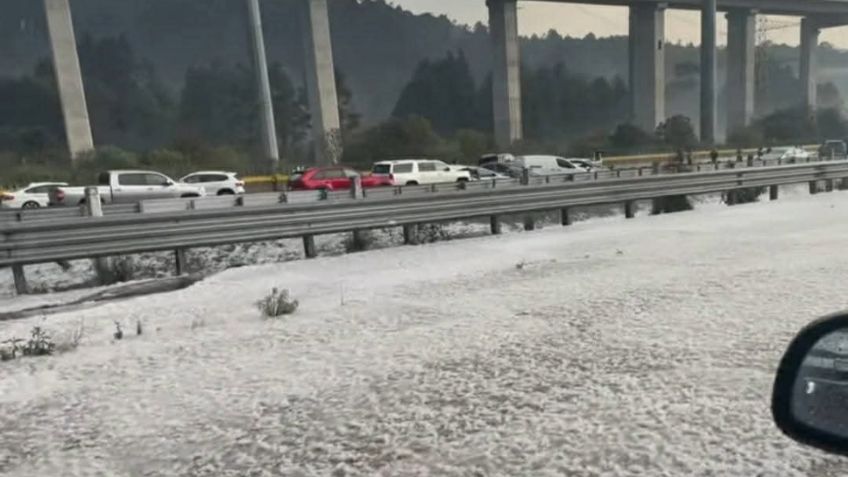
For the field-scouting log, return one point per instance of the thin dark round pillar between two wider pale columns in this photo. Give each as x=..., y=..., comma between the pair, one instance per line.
x=708, y=71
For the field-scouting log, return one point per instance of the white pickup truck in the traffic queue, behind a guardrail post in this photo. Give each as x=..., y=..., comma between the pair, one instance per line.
x=128, y=187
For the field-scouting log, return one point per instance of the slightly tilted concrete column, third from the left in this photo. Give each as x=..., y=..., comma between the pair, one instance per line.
x=321, y=84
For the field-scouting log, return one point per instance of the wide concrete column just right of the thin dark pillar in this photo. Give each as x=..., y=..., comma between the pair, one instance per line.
x=741, y=50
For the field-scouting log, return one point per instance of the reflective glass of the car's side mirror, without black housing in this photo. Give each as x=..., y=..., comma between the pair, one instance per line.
x=820, y=391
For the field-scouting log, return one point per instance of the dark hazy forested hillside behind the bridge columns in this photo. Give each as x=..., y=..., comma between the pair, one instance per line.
x=169, y=85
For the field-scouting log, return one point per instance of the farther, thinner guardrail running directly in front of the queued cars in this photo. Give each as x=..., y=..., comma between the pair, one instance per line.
x=297, y=197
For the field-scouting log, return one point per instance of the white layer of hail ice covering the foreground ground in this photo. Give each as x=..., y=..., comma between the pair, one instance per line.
x=613, y=347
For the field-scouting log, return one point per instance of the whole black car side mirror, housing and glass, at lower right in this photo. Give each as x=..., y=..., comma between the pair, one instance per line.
x=810, y=396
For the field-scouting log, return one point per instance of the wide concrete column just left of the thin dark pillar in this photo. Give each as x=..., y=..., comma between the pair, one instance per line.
x=647, y=60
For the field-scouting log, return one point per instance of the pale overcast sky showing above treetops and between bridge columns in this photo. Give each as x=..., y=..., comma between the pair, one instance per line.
x=578, y=20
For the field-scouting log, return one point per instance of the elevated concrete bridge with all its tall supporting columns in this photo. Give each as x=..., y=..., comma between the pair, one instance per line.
x=646, y=60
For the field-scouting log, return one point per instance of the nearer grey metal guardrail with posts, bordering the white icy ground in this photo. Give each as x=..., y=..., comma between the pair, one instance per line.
x=23, y=243
